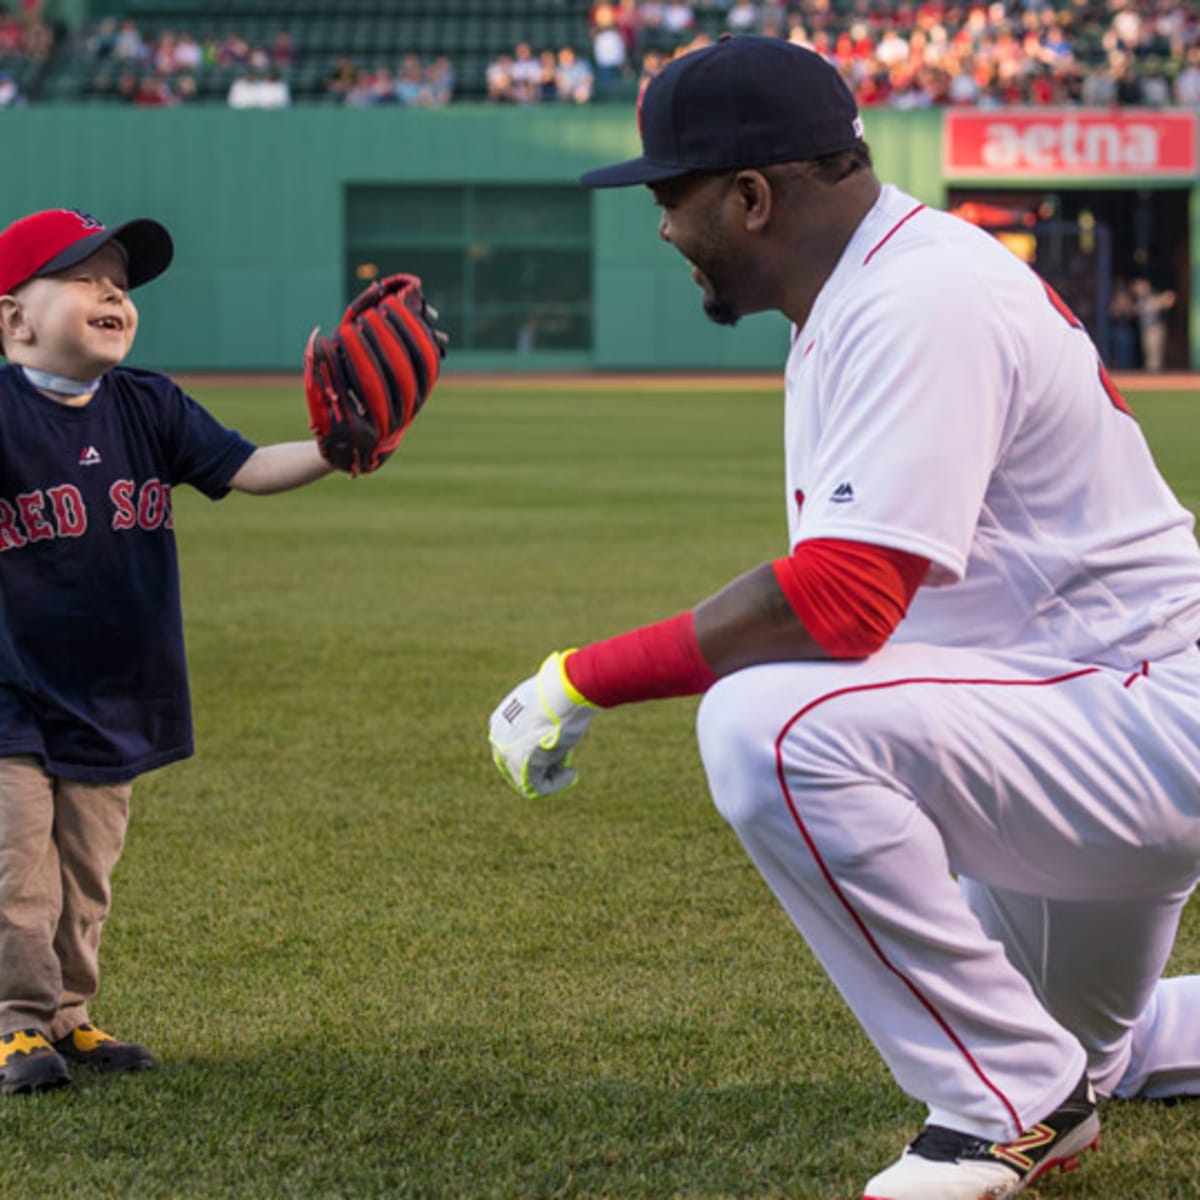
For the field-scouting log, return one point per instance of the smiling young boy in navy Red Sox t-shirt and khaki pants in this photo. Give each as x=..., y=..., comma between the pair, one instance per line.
x=93, y=680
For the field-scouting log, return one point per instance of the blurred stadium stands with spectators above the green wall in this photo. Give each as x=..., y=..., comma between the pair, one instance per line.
x=910, y=53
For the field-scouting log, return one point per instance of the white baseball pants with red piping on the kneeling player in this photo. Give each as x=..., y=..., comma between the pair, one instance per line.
x=989, y=855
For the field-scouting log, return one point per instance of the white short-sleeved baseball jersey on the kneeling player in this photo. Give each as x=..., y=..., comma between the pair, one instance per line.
x=985, y=439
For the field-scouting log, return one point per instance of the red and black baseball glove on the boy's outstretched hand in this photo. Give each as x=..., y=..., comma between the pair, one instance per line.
x=368, y=381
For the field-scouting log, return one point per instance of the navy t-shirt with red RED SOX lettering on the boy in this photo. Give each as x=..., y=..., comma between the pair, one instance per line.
x=93, y=677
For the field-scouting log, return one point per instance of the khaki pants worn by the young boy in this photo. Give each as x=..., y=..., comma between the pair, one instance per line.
x=59, y=844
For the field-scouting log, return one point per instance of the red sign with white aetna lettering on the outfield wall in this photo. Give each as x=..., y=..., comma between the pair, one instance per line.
x=1025, y=142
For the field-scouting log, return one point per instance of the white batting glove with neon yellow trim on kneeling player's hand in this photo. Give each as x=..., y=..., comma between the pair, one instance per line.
x=536, y=729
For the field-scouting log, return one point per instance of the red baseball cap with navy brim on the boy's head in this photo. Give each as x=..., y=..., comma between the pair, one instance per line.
x=56, y=239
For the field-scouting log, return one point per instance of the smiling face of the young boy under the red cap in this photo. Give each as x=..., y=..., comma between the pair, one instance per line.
x=81, y=321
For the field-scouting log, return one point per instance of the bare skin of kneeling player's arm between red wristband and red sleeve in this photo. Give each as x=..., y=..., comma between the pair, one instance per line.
x=751, y=622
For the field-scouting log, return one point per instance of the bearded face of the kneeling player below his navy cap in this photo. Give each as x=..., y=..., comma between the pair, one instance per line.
x=693, y=219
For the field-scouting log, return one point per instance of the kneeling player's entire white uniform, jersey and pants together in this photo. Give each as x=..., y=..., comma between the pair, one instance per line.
x=987, y=832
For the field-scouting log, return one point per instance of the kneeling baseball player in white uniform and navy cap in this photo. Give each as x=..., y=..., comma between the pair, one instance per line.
x=958, y=725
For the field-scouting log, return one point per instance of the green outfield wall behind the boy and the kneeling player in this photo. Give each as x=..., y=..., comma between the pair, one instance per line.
x=274, y=214
